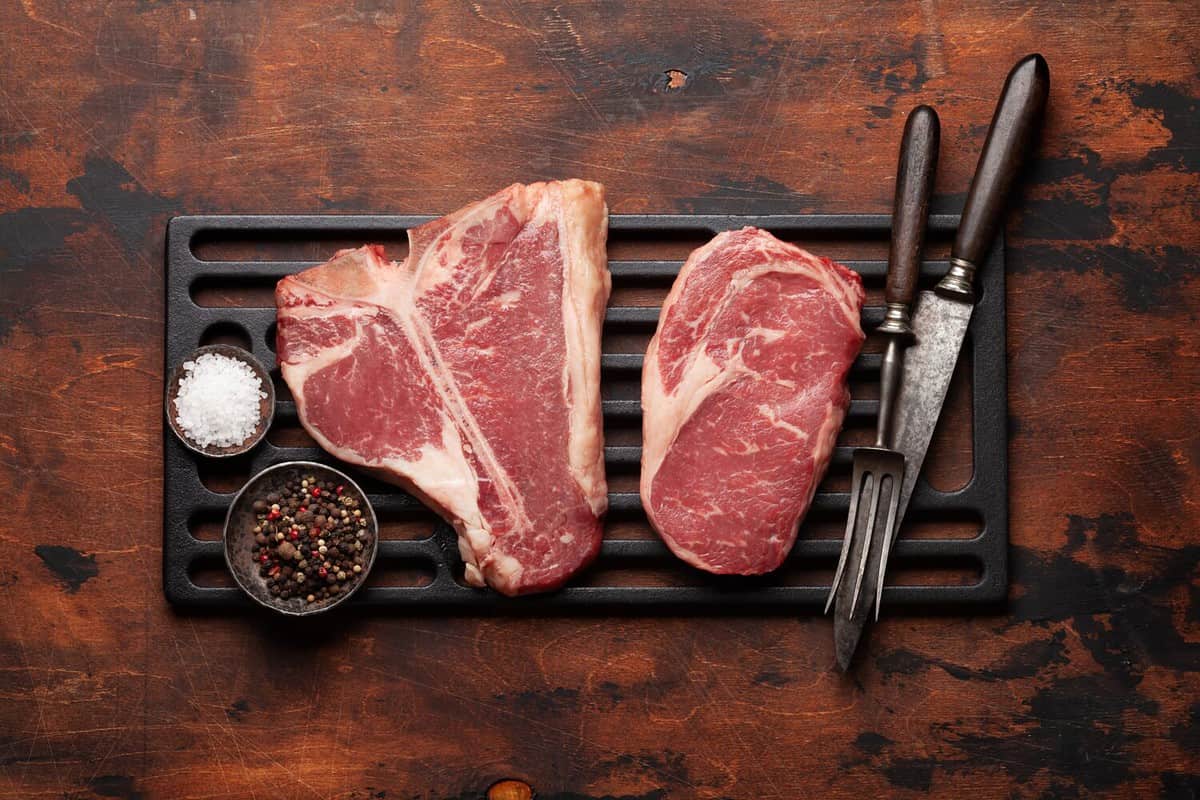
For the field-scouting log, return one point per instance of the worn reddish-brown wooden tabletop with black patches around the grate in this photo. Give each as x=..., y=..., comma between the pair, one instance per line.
x=117, y=116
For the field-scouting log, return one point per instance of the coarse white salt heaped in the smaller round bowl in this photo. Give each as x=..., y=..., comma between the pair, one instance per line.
x=219, y=401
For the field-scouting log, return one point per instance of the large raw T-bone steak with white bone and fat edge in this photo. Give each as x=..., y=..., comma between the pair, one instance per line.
x=470, y=375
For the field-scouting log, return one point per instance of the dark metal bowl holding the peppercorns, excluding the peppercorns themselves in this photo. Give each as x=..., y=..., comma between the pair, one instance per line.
x=239, y=537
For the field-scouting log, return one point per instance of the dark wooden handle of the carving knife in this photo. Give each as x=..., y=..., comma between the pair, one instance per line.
x=1010, y=140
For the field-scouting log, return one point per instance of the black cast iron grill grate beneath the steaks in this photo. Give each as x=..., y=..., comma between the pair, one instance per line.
x=427, y=573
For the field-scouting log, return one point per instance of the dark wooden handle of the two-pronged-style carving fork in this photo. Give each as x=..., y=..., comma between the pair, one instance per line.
x=910, y=210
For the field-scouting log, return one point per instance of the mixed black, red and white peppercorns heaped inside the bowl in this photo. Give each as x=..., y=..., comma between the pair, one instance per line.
x=311, y=539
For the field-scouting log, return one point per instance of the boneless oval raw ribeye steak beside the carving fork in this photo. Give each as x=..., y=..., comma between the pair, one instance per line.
x=743, y=394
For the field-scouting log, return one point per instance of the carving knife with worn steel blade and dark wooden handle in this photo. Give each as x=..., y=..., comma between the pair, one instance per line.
x=941, y=317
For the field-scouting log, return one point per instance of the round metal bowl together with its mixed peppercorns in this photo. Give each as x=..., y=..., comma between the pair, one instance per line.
x=301, y=538
